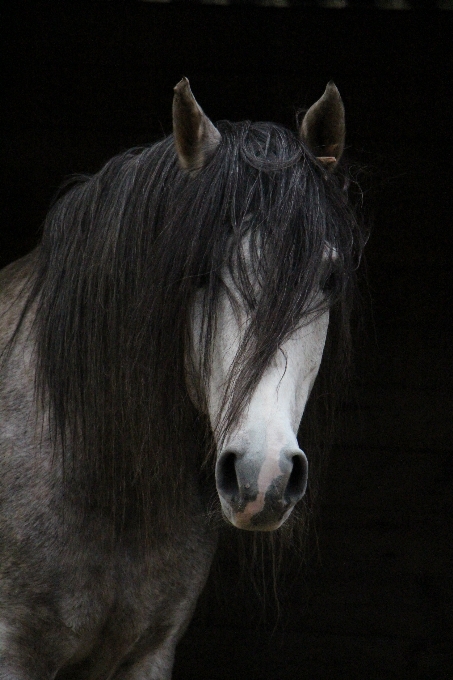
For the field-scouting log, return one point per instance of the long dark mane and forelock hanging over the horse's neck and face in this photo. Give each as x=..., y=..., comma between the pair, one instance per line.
x=122, y=256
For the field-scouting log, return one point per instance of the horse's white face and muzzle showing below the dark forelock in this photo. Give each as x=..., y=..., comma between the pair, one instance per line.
x=261, y=472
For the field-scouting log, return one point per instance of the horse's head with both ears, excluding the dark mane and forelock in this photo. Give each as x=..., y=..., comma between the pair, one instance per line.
x=261, y=472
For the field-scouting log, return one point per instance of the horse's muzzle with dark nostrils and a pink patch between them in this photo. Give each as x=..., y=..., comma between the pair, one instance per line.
x=258, y=492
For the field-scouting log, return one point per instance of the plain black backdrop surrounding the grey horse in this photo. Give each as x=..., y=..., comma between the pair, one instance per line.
x=84, y=82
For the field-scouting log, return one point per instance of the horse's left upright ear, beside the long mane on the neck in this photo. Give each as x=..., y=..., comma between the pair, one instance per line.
x=196, y=138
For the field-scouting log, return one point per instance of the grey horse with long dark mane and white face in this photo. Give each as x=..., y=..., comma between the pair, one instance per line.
x=158, y=350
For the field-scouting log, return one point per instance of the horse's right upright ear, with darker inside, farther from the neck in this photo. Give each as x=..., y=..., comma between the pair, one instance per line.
x=323, y=127
